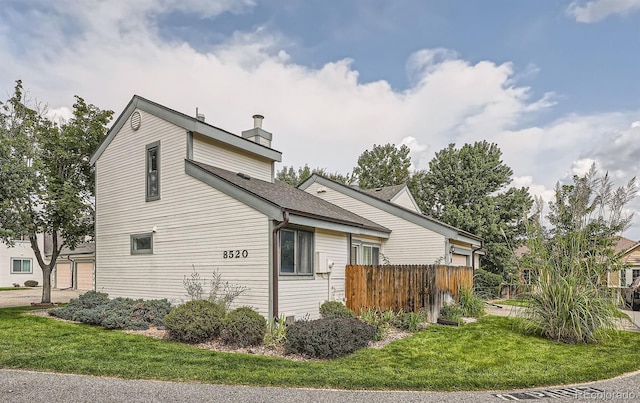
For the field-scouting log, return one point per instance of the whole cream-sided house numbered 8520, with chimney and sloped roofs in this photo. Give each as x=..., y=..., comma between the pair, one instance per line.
x=175, y=194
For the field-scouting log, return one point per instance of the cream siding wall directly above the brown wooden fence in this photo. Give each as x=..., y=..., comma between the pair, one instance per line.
x=408, y=244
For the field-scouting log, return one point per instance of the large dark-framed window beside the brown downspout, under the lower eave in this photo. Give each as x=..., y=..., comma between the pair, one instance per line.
x=296, y=252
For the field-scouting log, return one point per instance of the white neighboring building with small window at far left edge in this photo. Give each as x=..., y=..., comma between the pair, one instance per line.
x=18, y=263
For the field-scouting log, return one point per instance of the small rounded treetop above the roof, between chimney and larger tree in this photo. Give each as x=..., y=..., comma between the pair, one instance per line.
x=383, y=166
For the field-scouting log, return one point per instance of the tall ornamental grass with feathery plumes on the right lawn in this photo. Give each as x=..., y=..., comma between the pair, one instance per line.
x=569, y=301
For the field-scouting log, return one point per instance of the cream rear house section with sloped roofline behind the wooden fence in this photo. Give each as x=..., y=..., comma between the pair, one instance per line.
x=415, y=237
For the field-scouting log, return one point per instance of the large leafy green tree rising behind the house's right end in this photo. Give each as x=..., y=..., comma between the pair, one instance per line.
x=467, y=188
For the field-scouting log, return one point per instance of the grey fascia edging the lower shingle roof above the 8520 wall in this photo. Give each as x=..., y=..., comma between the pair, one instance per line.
x=275, y=211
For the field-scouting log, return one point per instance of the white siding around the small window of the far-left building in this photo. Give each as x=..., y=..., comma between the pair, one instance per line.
x=21, y=250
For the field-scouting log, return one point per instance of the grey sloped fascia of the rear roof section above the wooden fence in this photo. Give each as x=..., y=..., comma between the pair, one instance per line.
x=391, y=208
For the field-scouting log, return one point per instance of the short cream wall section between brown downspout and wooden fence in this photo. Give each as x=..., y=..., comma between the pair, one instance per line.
x=298, y=296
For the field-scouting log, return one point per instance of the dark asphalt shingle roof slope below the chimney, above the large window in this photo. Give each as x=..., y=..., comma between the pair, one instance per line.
x=292, y=199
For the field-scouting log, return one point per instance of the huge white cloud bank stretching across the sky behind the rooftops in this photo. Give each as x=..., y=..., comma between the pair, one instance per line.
x=324, y=116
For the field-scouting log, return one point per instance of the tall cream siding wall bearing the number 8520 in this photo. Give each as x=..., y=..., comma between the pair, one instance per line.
x=192, y=224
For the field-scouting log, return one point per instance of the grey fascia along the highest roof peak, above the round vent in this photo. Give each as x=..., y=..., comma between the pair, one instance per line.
x=187, y=122
